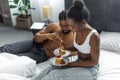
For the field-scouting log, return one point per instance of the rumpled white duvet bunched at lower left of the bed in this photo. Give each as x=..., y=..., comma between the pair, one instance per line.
x=19, y=66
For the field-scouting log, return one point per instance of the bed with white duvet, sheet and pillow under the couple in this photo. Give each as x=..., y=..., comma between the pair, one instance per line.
x=109, y=62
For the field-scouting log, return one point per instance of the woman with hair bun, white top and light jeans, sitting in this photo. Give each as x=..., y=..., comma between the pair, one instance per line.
x=86, y=42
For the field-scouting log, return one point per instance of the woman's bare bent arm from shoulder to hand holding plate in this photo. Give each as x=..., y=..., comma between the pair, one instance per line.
x=94, y=54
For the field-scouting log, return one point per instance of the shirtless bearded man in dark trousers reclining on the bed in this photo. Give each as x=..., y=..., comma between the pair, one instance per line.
x=48, y=40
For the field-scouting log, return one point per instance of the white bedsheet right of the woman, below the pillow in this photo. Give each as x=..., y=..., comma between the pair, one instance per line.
x=109, y=65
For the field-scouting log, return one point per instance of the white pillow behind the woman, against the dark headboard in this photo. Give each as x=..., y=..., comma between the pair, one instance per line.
x=110, y=41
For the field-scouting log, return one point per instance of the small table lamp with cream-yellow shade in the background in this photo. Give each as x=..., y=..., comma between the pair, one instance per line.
x=47, y=12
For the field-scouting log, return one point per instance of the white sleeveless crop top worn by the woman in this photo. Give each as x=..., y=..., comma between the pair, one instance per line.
x=85, y=47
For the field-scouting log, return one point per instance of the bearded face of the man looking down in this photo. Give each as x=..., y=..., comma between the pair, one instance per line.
x=64, y=26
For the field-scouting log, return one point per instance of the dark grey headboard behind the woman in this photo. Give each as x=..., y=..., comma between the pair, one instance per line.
x=105, y=14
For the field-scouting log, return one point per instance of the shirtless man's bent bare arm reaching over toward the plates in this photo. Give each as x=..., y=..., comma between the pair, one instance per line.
x=47, y=33
